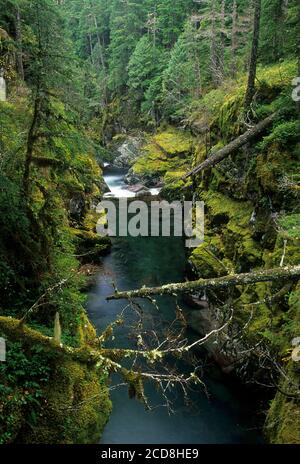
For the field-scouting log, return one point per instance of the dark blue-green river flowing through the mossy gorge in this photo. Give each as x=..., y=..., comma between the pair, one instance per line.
x=223, y=416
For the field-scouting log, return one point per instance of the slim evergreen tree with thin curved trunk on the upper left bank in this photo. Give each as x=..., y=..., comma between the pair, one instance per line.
x=47, y=59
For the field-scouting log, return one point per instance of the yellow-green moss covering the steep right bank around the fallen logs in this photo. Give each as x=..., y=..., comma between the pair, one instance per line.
x=257, y=179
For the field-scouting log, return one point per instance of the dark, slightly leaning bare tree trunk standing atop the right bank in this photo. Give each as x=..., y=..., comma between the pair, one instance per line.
x=254, y=54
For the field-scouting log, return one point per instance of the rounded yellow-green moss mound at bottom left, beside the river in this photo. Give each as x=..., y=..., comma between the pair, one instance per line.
x=76, y=410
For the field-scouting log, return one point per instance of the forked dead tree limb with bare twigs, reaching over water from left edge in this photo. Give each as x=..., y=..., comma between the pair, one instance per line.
x=110, y=359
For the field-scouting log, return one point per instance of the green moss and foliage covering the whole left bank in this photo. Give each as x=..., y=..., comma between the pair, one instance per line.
x=46, y=397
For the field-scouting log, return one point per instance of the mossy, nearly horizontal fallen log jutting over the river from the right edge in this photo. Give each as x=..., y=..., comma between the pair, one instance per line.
x=269, y=275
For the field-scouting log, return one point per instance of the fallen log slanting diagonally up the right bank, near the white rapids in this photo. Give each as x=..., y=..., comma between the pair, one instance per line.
x=232, y=147
